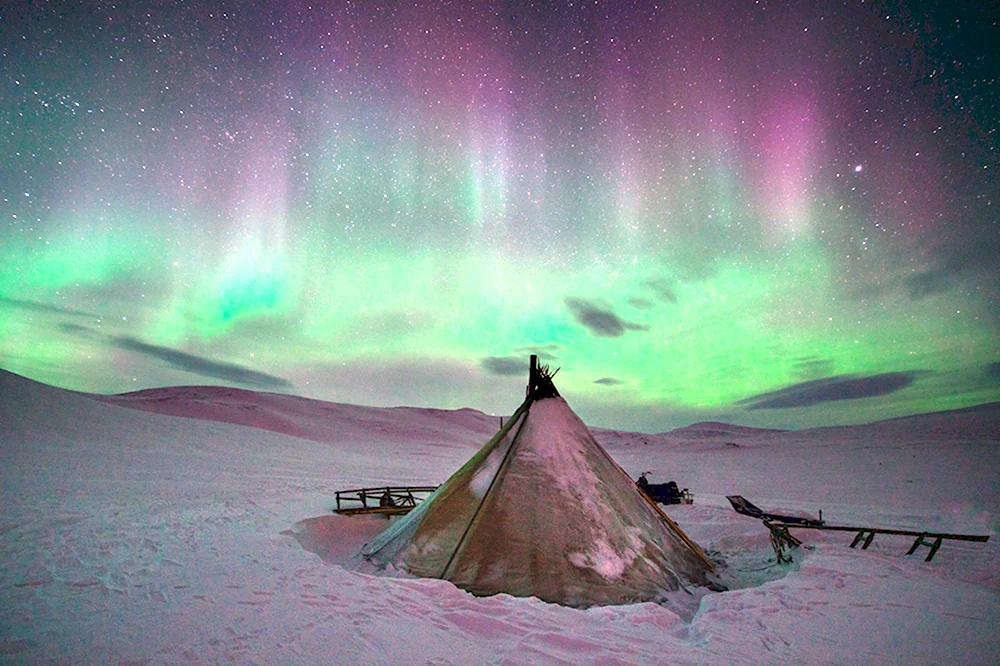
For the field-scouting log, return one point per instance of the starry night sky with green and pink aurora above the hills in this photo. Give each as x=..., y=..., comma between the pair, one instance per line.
x=779, y=214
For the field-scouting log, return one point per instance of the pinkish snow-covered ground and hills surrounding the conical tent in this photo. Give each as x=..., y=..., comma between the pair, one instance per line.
x=129, y=536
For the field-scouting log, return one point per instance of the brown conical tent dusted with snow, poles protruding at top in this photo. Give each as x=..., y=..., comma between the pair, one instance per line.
x=542, y=510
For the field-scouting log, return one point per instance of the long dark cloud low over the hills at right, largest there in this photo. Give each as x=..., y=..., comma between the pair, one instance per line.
x=846, y=387
